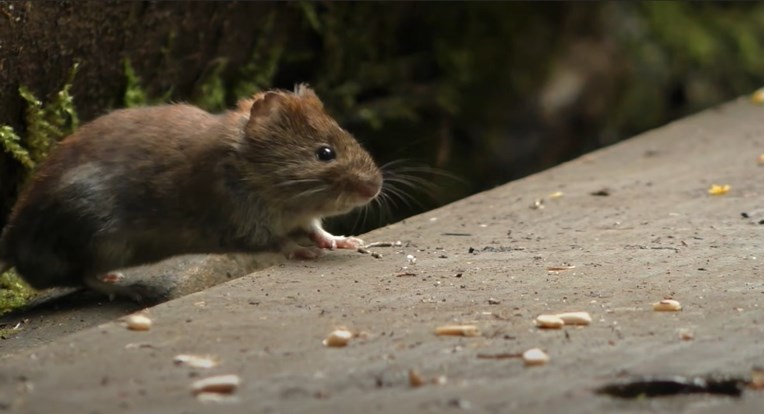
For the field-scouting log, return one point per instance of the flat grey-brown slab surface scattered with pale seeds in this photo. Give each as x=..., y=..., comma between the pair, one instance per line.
x=484, y=260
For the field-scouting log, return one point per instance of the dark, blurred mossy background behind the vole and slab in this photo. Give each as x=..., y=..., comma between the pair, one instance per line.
x=486, y=92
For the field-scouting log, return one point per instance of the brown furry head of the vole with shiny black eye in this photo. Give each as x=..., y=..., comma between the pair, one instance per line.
x=299, y=157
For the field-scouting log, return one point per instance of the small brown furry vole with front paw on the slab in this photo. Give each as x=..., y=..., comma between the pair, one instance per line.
x=140, y=185
